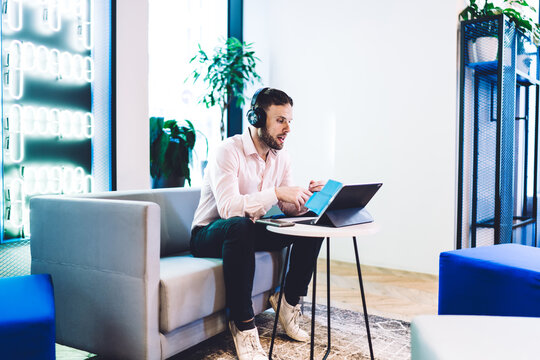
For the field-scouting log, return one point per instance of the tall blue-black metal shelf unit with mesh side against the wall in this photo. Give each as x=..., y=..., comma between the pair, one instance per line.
x=498, y=135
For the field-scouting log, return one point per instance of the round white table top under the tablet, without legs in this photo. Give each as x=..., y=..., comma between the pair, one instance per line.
x=325, y=231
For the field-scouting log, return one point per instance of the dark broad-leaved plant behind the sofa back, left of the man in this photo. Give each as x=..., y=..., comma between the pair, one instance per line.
x=171, y=146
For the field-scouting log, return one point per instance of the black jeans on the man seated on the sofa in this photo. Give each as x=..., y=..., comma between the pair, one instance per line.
x=236, y=240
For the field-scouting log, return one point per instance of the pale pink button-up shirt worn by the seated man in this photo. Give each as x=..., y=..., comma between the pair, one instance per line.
x=238, y=182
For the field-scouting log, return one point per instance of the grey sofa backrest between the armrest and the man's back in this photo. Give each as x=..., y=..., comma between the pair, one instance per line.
x=177, y=206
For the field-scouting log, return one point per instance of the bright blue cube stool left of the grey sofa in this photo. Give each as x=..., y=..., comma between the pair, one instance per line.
x=27, y=329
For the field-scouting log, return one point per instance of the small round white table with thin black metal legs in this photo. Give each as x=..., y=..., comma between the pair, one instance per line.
x=324, y=232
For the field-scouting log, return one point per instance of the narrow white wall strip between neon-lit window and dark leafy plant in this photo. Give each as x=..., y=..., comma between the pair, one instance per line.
x=133, y=139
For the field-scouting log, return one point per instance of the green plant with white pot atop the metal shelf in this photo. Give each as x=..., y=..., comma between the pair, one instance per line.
x=484, y=48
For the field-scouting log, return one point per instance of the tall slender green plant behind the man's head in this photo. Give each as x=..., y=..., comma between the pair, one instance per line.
x=226, y=73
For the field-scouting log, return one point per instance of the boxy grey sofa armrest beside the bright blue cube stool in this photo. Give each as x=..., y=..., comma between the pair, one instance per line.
x=103, y=256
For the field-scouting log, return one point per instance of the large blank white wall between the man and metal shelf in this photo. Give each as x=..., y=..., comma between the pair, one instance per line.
x=374, y=86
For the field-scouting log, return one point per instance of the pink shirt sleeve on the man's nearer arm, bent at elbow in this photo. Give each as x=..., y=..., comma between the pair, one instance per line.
x=225, y=186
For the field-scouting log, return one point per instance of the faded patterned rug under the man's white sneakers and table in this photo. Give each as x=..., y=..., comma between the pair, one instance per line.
x=391, y=339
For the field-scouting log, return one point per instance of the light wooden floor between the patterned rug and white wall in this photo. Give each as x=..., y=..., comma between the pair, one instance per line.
x=390, y=293
